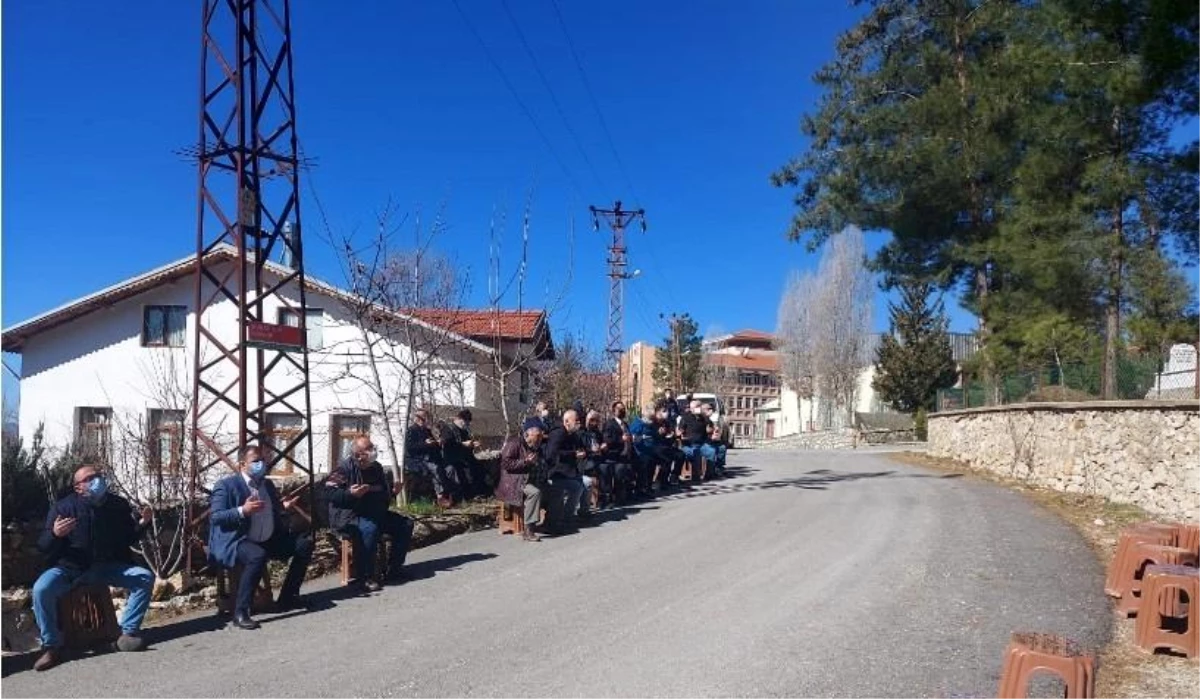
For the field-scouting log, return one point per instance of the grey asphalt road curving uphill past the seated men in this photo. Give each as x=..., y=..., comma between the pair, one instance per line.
x=808, y=575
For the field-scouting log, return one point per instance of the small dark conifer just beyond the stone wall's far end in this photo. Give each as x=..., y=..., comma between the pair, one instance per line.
x=915, y=360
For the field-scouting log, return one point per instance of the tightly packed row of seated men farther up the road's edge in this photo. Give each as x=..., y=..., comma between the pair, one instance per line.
x=555, y=465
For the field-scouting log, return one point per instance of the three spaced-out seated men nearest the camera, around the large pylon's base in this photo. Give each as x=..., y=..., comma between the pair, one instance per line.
x=91, y=534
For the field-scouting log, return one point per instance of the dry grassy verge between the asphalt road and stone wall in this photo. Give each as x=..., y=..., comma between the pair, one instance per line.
x=1125, y=672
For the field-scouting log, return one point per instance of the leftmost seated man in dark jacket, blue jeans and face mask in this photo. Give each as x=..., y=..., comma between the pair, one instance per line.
x=87, y=541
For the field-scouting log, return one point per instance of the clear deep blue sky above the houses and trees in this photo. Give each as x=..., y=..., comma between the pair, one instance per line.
x=399, y=103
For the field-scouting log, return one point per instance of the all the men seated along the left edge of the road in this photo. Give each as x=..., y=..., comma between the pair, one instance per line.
x=91, y=533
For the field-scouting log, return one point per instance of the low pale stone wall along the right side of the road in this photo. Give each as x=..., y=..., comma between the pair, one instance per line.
x=1145, y=453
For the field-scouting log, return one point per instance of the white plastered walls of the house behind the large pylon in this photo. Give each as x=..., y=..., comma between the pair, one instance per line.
x=98, y=361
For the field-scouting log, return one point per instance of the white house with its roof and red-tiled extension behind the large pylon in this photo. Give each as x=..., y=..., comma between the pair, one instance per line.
x=117, y=365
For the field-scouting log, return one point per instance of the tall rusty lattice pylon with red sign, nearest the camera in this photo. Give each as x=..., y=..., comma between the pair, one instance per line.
x=249, y=201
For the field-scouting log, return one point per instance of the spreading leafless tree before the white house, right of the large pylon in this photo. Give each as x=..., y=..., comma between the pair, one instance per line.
x=406, y=304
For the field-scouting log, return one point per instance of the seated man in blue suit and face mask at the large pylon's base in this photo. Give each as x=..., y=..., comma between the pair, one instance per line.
x=248, y=528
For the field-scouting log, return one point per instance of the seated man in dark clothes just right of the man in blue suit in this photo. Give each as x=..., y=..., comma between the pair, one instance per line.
x=361, y=493
